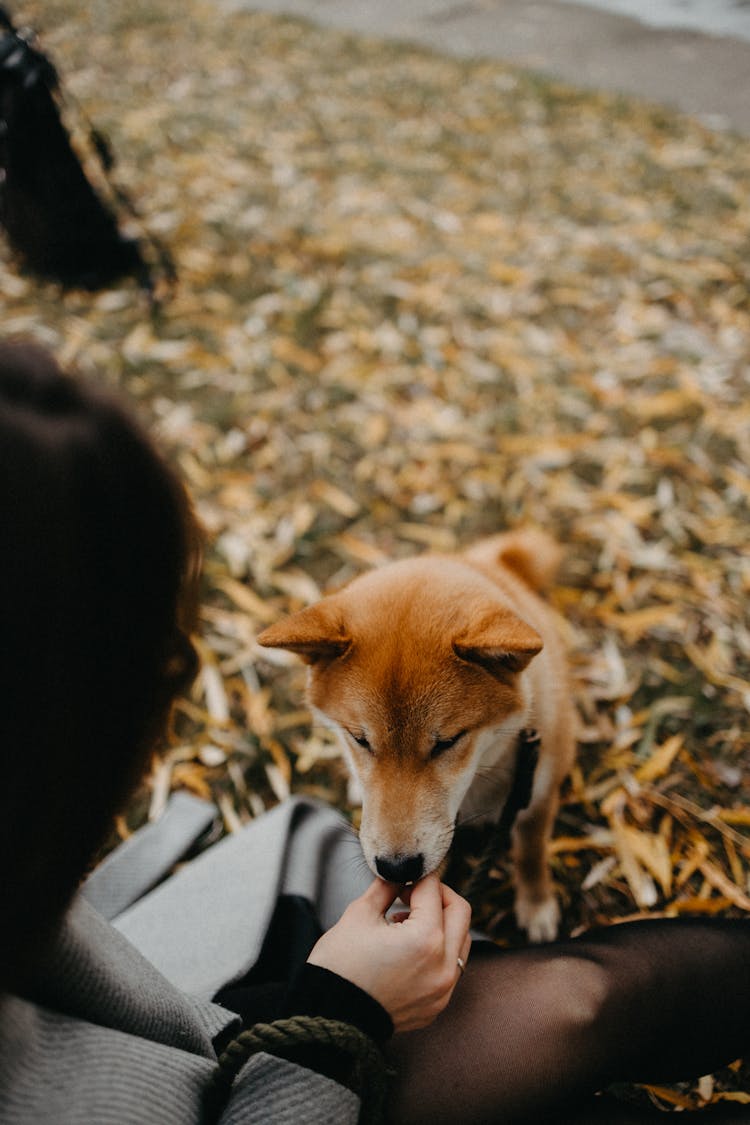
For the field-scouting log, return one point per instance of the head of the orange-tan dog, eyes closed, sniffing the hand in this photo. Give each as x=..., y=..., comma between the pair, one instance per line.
x=412, y=664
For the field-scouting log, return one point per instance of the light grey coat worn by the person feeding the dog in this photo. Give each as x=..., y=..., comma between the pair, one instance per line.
x=118, y=1025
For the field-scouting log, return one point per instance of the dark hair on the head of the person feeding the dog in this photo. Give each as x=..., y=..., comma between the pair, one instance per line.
x=100, y=563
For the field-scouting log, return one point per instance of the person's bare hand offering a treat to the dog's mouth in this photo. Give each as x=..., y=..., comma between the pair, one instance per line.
x=410, y=967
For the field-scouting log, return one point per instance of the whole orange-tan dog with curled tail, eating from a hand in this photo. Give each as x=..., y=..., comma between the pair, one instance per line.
x=429, y=669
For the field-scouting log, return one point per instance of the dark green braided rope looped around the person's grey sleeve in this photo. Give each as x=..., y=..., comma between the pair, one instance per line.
x=283, y=1038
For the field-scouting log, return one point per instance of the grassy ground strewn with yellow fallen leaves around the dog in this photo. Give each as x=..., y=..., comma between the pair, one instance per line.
x=422, y=300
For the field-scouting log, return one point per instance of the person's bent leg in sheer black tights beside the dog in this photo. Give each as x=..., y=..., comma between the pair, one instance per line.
x=530, y=1036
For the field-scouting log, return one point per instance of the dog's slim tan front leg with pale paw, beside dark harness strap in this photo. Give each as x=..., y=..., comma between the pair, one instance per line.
x=536, y=906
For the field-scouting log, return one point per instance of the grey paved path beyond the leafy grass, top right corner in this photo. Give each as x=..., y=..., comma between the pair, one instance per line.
x=706, y=76
